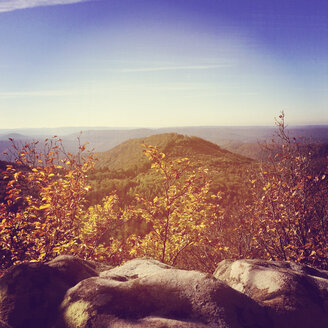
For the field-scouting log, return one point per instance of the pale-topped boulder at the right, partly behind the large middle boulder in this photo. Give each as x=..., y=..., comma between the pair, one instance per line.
x=296, y=295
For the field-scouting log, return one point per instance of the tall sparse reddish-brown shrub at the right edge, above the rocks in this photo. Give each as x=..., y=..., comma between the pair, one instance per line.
x=289, y=210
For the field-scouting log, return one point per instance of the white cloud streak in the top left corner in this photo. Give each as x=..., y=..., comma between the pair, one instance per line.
x=10, y=5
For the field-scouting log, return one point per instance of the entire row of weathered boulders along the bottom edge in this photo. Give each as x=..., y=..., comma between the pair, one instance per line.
x=73, y=293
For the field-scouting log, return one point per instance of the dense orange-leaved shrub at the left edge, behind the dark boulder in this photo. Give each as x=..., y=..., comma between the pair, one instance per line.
x=45, y=198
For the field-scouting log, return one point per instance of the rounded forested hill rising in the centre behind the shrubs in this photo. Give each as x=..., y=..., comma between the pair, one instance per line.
x=126, y=169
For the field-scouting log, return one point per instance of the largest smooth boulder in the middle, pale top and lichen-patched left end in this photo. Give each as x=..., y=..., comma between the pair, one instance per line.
x=147, y=293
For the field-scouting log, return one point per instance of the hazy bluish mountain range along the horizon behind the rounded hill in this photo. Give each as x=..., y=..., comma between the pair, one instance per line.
x=239, y=139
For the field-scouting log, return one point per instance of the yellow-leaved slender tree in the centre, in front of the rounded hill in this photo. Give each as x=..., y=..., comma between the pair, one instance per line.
x=179, y=215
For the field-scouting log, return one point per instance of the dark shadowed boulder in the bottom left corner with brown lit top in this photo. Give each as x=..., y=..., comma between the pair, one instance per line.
x=31, y=292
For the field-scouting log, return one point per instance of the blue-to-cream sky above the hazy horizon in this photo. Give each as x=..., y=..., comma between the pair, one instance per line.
x=158, y=63
